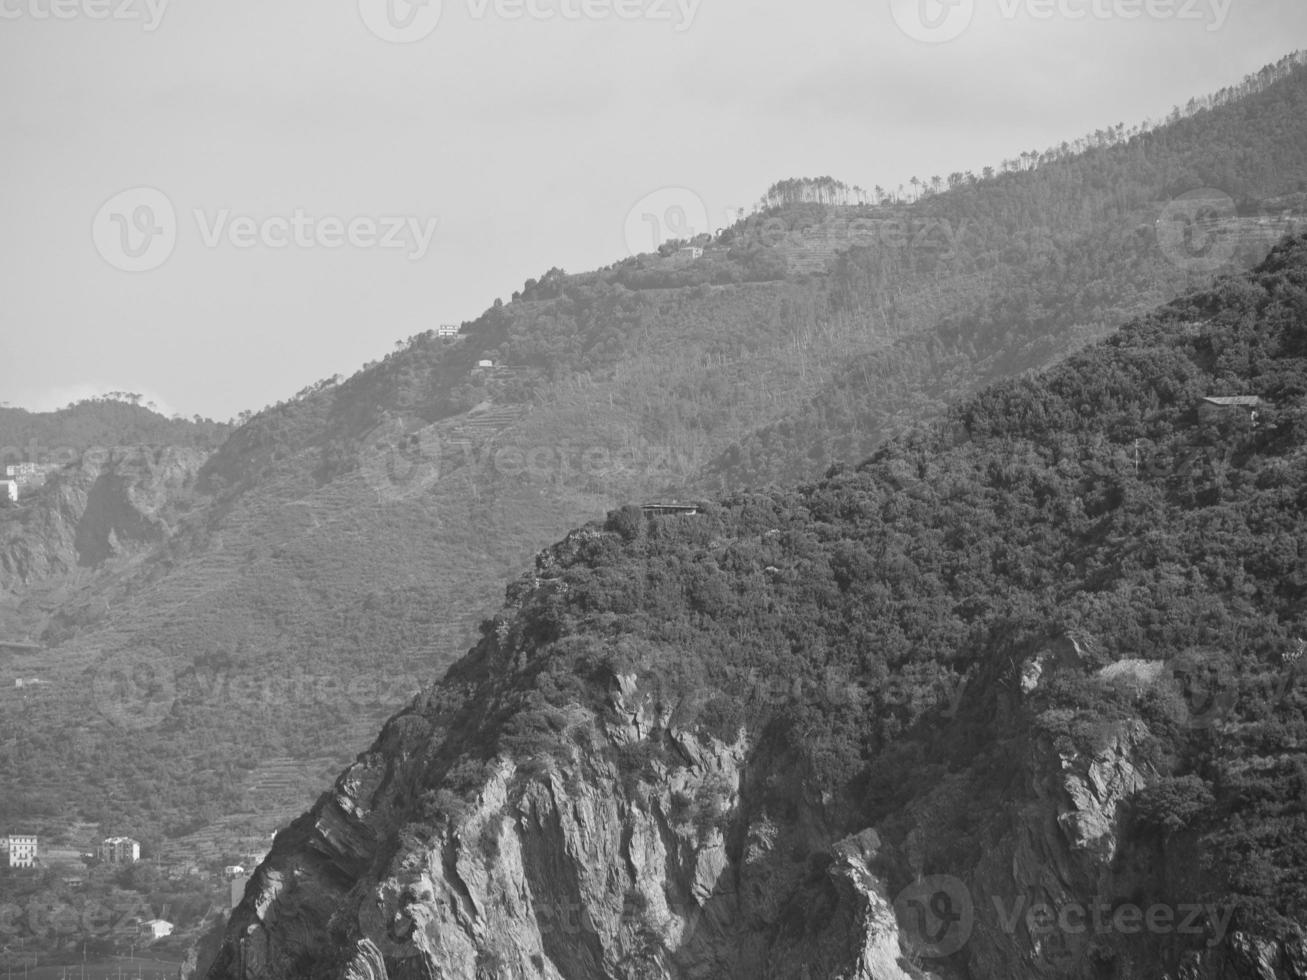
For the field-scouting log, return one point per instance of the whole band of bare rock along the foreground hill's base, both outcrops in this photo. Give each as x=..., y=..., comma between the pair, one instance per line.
x=635, y=849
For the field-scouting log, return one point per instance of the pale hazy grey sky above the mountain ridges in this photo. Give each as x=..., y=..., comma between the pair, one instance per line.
x=220, y=202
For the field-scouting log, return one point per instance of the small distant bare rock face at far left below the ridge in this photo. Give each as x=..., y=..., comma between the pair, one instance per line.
x=114, y=504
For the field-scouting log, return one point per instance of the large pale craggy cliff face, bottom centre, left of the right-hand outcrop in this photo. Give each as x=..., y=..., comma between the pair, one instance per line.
x=601, y=862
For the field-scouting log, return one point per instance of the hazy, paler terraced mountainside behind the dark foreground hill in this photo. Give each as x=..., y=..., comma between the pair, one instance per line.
x=357, y=530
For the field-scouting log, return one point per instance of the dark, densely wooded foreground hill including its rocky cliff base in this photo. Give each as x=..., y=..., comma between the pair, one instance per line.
x=1044, y=654
